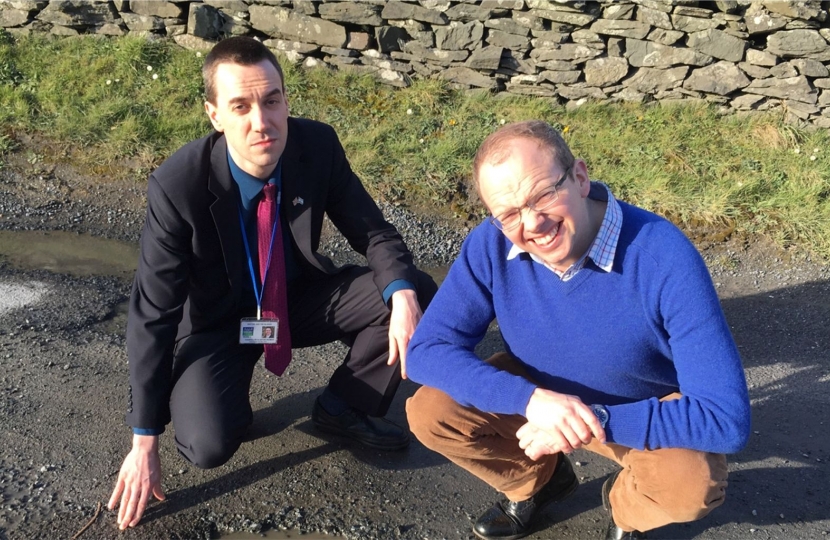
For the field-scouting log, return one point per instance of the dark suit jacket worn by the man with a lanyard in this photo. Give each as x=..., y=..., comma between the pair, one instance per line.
x=193, y=269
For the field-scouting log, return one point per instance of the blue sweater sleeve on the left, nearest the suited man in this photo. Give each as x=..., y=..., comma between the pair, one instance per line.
x=442, y=351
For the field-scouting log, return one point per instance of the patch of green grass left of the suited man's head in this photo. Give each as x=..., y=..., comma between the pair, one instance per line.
x=98, y=95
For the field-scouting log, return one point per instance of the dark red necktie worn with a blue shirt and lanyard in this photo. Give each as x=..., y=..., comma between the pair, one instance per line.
x=274, y=291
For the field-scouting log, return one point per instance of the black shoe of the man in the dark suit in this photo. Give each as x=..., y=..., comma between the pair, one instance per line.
x=376, y=433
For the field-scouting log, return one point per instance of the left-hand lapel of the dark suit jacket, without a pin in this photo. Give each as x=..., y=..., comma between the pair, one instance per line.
x=225, y=212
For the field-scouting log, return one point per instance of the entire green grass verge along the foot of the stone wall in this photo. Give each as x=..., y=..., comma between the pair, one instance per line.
x=748, y=175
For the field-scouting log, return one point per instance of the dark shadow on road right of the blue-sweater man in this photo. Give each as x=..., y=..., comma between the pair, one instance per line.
x=784, y=339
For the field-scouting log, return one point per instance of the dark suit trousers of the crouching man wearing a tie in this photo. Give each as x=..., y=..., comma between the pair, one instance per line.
x=210, y=404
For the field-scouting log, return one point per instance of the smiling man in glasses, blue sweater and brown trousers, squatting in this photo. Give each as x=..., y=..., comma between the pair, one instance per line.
x=615, y=343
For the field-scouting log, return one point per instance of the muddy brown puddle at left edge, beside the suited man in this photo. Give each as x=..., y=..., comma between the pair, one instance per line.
x=68, y=253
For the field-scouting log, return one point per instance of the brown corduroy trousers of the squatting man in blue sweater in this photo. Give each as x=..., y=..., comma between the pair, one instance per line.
x=654, y=488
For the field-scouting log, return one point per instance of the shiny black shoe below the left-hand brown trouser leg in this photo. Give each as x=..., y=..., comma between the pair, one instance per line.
x=507, y=520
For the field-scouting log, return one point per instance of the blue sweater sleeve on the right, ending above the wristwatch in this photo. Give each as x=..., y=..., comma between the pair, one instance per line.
x=713, y=413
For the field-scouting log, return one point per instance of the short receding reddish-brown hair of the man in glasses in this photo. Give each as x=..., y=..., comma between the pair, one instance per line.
x=496, y=147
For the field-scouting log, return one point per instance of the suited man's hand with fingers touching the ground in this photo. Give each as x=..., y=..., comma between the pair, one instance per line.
x=140, y=476
